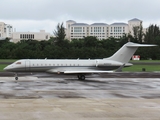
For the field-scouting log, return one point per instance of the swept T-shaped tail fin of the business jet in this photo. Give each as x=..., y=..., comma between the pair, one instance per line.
x=125, y=53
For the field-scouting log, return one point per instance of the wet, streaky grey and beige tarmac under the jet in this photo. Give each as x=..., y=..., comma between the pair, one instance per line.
x=120, y=96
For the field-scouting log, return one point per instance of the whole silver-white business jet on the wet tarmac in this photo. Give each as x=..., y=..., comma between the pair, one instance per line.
x=77, y=66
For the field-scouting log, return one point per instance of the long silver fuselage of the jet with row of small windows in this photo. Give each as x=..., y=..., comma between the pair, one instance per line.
x=56, y=65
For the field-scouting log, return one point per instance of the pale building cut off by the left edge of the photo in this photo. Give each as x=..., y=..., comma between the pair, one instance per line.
x=5, y=30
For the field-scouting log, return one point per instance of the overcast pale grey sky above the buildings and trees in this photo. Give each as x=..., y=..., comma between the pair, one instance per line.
x=36, y=15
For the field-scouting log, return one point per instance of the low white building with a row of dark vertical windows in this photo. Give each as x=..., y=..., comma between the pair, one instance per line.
x=42, y=35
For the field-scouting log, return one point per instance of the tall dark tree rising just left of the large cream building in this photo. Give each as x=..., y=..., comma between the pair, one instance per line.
x=59, y=34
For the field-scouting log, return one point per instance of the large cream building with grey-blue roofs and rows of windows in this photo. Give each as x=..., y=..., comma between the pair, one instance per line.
x=100, y=30
